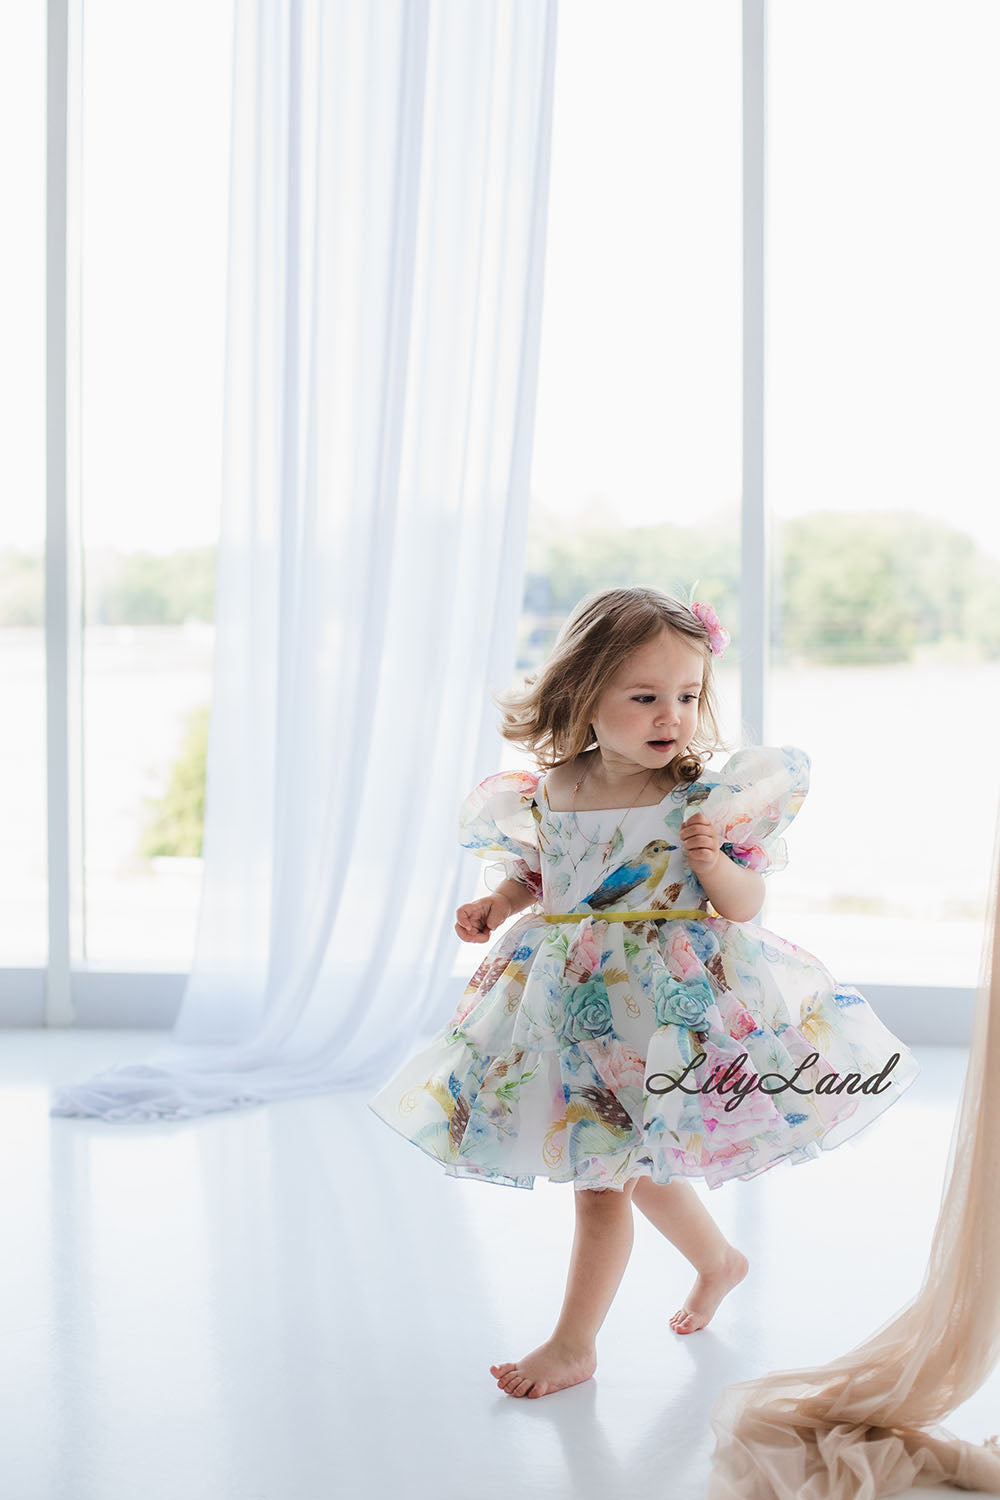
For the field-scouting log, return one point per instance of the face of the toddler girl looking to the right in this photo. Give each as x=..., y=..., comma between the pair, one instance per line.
x=648, y=712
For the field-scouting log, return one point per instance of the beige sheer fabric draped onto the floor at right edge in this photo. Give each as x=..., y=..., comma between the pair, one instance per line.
x=867, y=1424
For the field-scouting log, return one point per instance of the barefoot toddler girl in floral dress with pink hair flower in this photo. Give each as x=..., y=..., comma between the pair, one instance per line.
x=636, y=1030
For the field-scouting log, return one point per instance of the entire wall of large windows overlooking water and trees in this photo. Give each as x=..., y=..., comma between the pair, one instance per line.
x=881, y=313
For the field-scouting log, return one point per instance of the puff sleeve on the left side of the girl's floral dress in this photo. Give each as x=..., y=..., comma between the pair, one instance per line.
x=499, y=820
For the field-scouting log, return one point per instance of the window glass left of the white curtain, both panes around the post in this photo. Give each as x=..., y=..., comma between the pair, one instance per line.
x=146, y=169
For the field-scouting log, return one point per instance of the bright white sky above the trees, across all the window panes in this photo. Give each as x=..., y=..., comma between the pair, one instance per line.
x=884, y=239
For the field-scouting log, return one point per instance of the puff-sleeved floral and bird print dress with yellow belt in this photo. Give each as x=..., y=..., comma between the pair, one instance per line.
x=597, y=1051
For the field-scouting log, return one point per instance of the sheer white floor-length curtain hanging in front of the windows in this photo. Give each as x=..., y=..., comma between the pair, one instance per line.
x=388, y=220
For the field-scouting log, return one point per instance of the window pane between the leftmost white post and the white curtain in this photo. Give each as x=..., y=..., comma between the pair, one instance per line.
x=154, y=274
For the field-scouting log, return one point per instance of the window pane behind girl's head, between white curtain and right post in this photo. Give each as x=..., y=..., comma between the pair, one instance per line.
x=636, y=466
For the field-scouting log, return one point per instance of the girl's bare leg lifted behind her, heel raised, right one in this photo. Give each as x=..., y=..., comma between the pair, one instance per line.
x=680, y=1214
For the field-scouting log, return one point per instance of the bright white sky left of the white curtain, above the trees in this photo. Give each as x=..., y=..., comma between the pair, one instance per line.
x=155, y=202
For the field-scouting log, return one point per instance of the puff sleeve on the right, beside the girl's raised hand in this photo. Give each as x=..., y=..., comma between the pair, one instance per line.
x=758, y=794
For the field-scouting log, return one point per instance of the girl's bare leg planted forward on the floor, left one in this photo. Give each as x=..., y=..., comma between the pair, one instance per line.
x=602, y=1246
